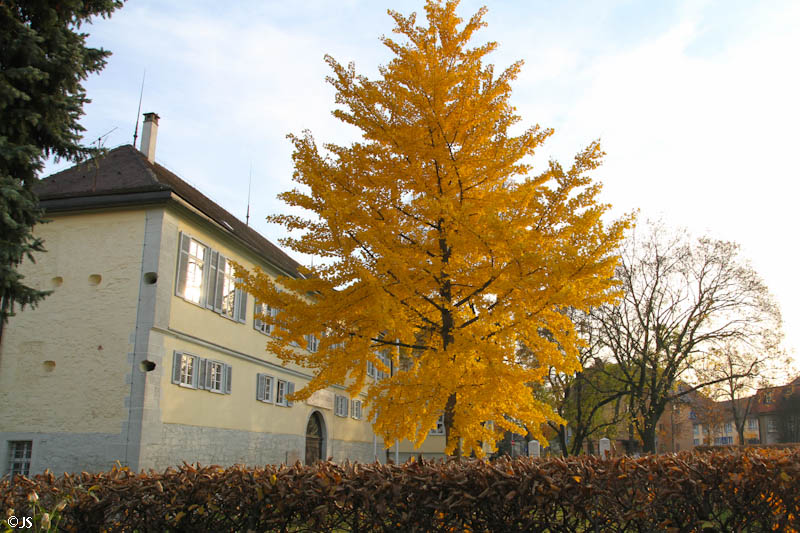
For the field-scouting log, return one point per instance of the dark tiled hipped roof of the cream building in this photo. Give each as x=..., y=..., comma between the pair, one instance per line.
x=125, y=176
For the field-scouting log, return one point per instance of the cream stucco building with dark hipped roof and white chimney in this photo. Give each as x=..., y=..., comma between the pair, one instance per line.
x=146, y=353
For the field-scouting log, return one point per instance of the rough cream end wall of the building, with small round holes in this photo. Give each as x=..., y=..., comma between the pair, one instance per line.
x=82, y=330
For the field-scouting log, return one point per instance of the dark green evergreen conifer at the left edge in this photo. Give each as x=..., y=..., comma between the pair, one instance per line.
x=43, y=62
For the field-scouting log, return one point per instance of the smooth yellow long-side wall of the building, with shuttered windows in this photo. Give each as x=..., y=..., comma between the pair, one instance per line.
x=202, y=332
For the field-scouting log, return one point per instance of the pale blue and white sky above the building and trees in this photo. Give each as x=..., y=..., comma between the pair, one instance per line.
x=696, y=103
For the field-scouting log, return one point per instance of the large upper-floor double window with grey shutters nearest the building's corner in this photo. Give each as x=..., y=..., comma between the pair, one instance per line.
x=206, y=278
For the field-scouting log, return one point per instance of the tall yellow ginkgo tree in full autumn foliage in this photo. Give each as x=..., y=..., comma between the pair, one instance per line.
x=443, y=253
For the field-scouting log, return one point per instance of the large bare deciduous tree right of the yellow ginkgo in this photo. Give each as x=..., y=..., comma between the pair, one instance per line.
x=683, y=297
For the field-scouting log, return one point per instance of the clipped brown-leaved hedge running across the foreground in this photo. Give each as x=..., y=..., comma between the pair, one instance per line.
x=751, y=490
